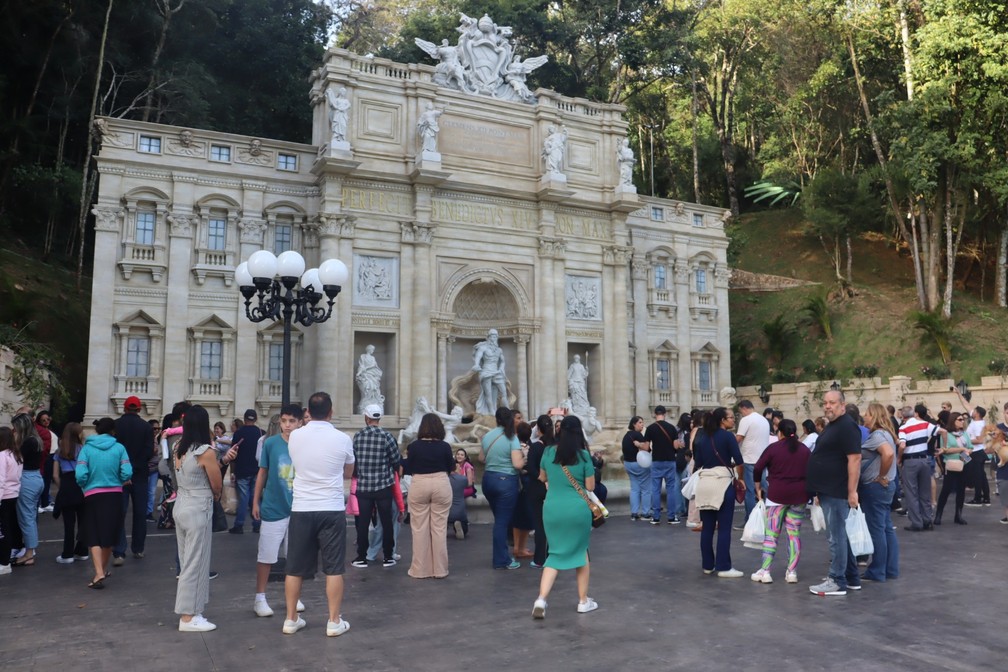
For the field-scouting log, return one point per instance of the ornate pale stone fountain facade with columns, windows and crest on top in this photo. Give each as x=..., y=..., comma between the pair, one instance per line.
x=457, y=210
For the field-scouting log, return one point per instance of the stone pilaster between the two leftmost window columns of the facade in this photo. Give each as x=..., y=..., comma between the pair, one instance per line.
x=179, y=367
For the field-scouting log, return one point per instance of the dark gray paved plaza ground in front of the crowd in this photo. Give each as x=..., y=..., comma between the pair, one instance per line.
x=658, y=611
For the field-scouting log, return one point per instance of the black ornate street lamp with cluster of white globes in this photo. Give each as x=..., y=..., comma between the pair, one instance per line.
x=275, y=280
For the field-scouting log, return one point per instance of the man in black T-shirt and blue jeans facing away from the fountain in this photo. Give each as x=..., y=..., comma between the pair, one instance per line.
x=834, y=473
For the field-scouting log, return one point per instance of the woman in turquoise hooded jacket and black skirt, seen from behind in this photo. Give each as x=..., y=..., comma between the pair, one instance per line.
x=103, y=469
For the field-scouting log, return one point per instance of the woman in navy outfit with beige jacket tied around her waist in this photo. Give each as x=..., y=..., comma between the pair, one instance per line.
x=715, y=447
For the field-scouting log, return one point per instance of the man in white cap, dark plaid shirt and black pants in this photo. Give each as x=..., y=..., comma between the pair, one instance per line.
x=377, y=456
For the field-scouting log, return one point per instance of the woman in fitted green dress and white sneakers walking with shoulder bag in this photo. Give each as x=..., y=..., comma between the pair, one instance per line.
x=566, y=515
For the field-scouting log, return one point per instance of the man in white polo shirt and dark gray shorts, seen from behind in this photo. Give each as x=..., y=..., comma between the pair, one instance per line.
x=322, y=457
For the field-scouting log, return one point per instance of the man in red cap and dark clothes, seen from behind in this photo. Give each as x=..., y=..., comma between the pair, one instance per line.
x=138, y=437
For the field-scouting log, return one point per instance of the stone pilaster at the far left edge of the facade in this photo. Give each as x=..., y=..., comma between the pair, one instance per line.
x=108, y=223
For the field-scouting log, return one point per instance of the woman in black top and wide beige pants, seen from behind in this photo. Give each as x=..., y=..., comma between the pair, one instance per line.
x=430, y=461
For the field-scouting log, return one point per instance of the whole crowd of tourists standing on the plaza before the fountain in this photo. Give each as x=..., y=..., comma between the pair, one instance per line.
x=540, y=481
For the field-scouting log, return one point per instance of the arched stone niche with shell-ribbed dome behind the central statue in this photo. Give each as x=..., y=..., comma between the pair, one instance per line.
x=480, y=303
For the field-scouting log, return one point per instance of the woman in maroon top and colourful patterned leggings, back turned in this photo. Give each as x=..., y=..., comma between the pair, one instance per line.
x=786, y=462
